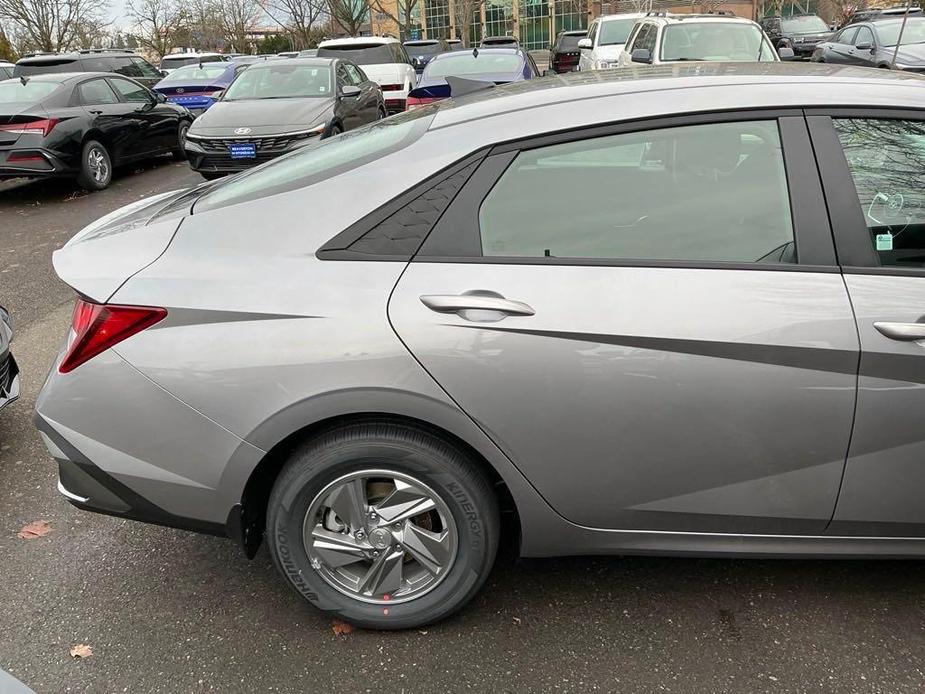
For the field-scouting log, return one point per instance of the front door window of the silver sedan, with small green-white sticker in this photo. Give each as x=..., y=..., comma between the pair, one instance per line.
x=887, y=163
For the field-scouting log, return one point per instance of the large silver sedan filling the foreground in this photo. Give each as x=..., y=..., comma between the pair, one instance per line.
x=707, y=340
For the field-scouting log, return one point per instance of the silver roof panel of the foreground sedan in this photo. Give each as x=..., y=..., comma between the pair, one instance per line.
x=677, y=87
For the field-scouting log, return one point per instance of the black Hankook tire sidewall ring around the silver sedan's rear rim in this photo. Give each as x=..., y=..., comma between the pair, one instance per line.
x=477, y=538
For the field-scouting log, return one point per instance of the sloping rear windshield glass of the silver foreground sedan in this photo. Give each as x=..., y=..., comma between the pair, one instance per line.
x=321, y=160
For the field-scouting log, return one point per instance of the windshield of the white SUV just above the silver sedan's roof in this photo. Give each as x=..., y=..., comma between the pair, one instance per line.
x=715, y=41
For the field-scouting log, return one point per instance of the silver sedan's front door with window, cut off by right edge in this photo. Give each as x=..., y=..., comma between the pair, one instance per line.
x=873, y=167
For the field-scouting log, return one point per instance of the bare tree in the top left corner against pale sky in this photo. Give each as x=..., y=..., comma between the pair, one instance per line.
x=51, y=25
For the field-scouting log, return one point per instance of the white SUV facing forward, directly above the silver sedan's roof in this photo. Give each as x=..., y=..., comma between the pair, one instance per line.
x=664, y=38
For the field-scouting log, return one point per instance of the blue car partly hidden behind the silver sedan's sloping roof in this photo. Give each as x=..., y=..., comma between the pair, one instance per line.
x=493, y=65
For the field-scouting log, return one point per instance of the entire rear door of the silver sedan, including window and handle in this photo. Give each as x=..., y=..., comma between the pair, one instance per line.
x=660, y=343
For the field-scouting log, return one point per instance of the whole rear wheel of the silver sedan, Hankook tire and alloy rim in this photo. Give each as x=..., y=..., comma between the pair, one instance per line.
x=464, y=516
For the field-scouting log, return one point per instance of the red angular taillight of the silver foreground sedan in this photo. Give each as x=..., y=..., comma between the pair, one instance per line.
x=97, y=327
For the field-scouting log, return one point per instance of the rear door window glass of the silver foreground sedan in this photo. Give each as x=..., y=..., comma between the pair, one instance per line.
x=708, y=193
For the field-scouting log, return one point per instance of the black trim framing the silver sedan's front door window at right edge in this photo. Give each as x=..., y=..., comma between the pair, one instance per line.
x=856, y=254
